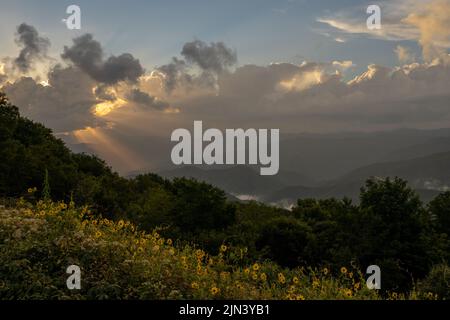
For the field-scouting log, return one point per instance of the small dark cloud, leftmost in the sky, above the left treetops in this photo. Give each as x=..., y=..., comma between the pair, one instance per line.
x=33, y=47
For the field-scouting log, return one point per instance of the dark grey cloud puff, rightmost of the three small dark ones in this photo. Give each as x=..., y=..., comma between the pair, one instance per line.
x=215, y=57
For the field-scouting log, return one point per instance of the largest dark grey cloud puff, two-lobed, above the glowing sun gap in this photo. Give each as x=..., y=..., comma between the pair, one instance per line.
x=87, y=54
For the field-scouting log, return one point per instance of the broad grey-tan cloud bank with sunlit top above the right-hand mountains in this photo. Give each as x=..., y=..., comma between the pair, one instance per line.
x=316, y=97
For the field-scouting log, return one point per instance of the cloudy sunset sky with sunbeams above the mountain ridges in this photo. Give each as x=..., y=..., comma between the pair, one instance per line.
x=139, y=69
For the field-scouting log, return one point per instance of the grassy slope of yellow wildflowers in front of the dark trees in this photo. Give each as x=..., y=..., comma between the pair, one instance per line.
x=120, y=262
